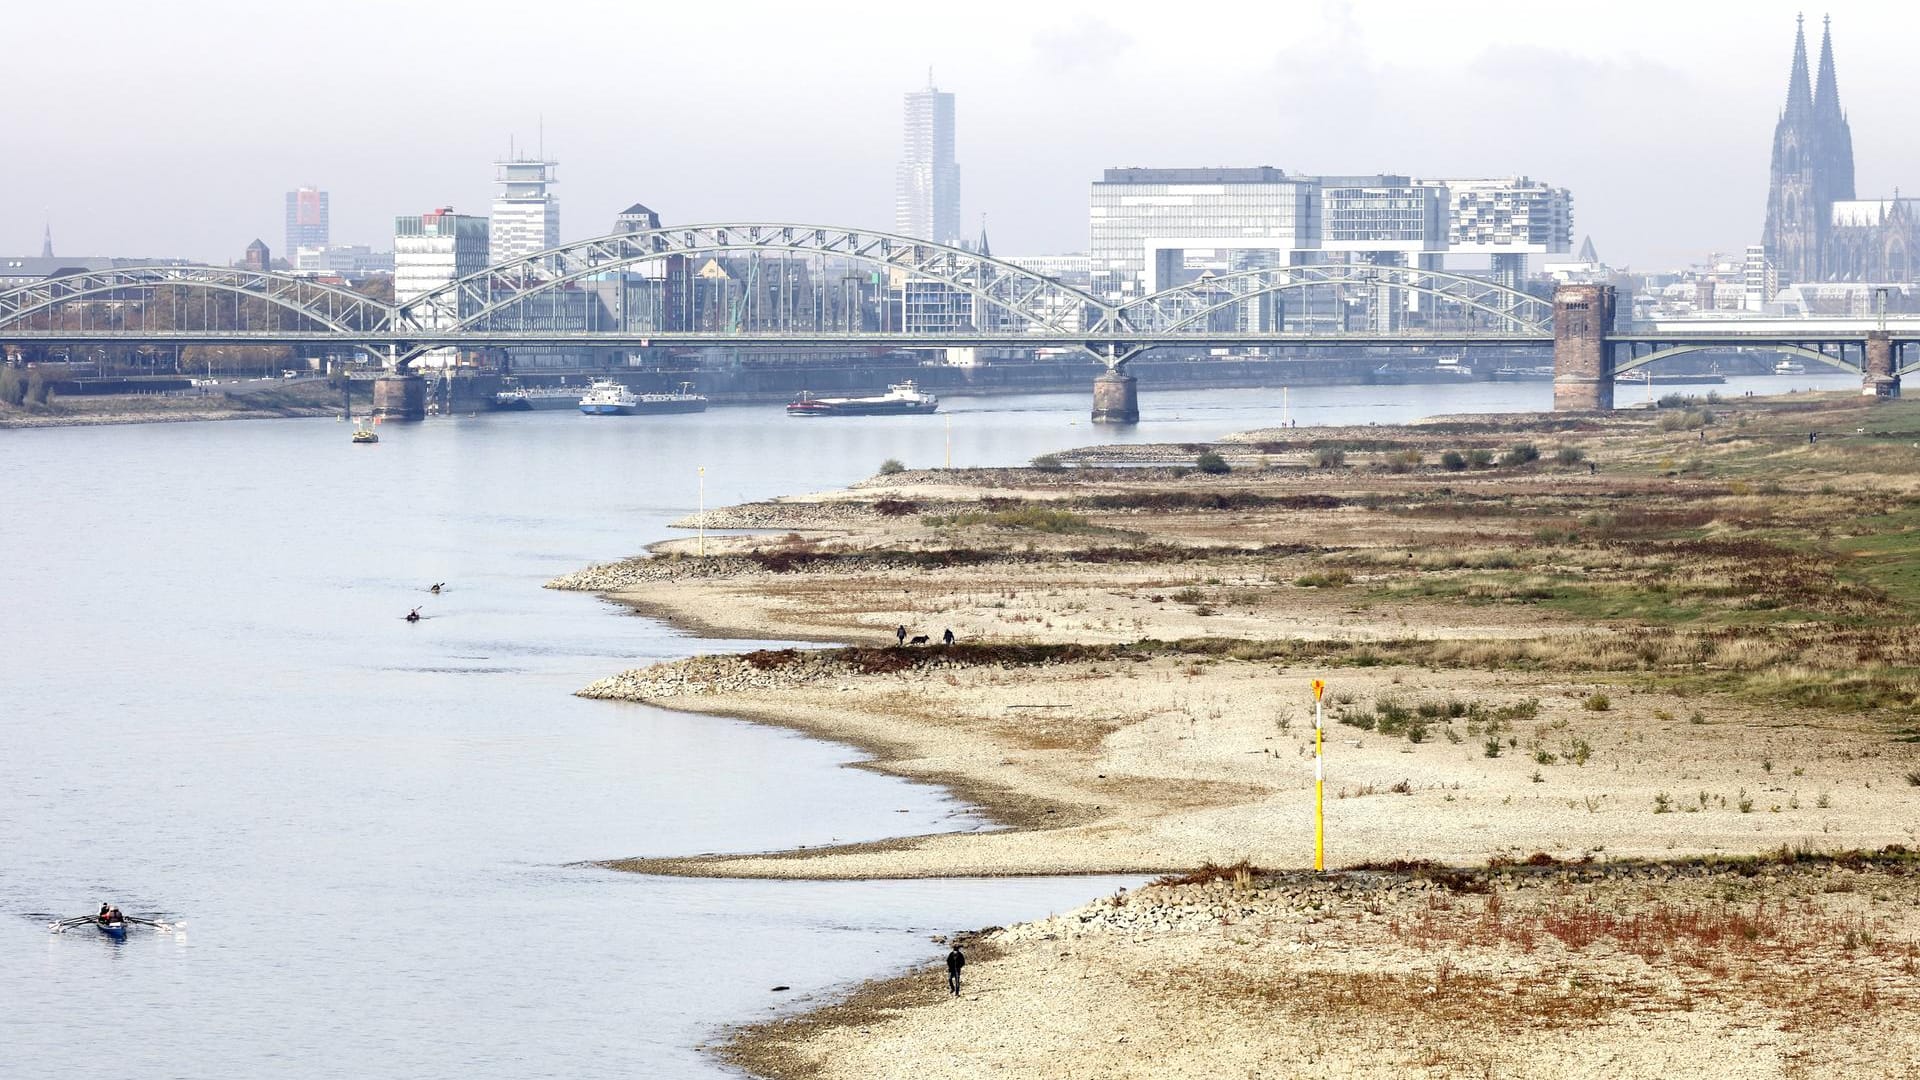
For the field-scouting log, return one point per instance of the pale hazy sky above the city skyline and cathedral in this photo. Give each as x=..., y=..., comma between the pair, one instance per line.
x=176, y=130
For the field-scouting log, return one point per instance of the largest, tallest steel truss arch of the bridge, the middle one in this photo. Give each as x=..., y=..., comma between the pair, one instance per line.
x=1032, y=299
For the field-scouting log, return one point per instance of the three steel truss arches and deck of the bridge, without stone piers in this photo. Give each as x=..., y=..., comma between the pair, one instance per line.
x=1009, y=305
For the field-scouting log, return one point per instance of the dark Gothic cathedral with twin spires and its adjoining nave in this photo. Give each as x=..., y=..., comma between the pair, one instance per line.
x=1815, y=230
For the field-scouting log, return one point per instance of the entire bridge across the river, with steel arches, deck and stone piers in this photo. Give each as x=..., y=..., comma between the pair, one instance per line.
x=784, y=285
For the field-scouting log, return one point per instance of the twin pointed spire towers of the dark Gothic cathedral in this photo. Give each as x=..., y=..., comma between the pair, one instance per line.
x=1812, y=166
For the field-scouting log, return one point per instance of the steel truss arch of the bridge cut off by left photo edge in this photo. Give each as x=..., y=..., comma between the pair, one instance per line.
x=329, y=307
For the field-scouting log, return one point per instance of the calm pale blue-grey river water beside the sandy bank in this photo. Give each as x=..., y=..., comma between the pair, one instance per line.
x=214, y=712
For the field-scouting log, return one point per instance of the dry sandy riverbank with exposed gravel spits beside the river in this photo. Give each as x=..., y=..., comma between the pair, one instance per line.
x=1669, y=635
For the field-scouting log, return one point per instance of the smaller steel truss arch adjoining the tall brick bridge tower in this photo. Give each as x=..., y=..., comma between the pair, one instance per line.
x=1191, y=305
